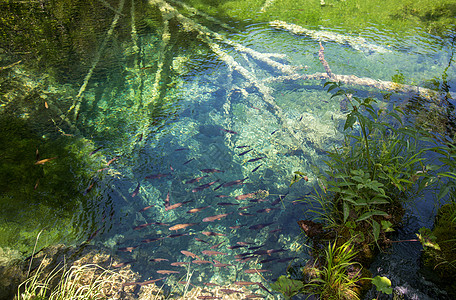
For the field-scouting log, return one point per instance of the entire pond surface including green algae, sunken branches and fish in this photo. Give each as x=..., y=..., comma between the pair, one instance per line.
x=200, y=117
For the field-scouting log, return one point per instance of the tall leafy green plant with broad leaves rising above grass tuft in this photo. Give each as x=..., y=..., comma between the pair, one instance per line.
x=380, y=166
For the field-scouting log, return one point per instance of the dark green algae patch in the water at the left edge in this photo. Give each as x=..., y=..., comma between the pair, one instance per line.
x=40, y=197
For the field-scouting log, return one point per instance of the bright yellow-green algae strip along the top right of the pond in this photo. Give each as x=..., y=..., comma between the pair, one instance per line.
x=401, y=17
